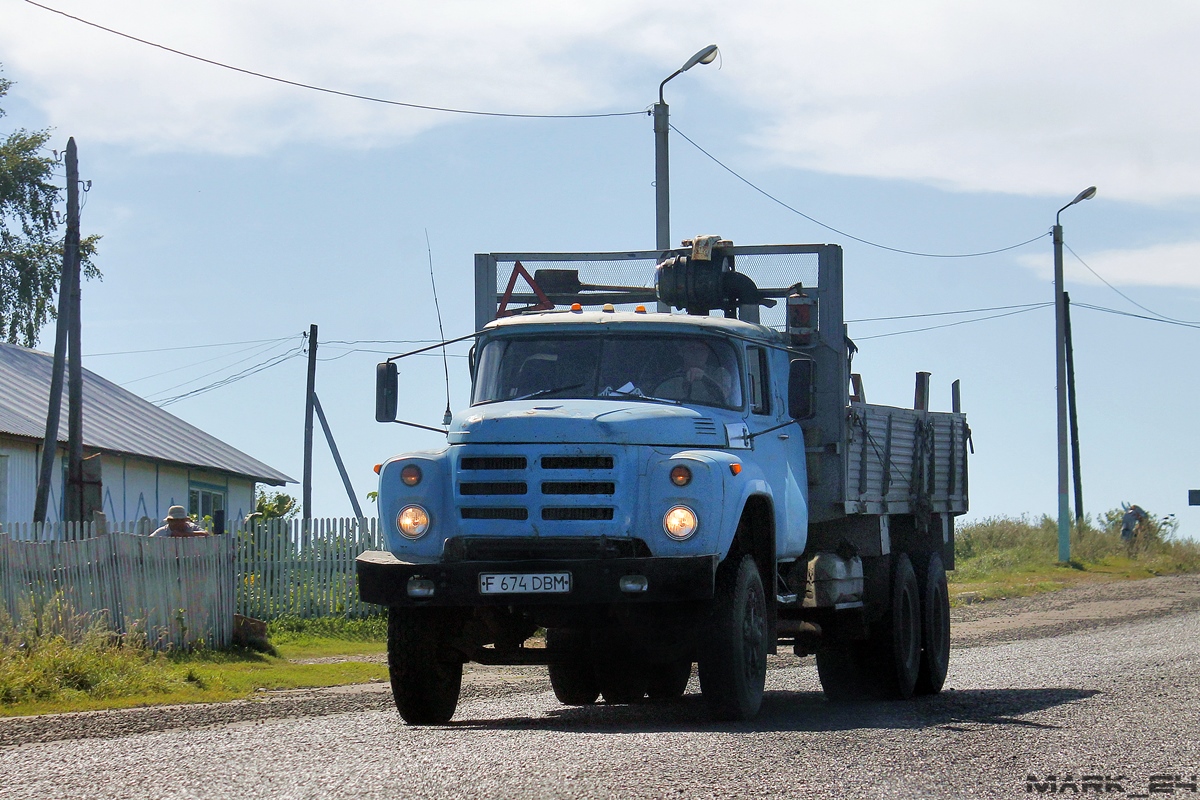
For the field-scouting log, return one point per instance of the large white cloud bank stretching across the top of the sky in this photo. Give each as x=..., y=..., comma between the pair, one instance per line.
x=1016, y=97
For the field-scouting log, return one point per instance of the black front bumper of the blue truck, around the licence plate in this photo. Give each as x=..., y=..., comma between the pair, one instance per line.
x=383, y=580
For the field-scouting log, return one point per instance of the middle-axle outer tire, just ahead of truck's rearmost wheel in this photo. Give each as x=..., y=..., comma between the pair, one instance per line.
x=898, y=642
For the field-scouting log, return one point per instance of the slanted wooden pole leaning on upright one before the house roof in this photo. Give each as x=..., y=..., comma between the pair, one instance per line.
x=70, y=267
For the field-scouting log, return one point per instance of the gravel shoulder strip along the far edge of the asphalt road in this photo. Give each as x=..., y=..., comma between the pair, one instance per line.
x=995, y=622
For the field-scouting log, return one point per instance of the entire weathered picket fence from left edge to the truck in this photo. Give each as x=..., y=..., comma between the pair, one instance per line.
x=302, y=569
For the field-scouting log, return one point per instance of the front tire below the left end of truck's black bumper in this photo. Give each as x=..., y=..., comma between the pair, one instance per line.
x=425, y=683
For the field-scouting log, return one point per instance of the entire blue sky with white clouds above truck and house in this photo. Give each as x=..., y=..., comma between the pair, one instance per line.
x=241, y=210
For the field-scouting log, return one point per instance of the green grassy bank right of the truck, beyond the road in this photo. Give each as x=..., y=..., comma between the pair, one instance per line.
x=1006, y=557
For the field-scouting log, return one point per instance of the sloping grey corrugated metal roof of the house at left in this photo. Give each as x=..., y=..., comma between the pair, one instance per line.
x=115, y=420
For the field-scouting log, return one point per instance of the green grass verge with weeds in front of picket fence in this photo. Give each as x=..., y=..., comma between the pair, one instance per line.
x=47, y=666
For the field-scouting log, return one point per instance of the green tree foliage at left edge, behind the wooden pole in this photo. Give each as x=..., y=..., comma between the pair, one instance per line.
x=31, y=245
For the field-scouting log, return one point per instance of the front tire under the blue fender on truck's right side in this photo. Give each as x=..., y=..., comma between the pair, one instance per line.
x=734, y=661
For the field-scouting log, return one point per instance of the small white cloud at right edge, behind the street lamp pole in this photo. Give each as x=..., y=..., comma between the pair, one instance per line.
x=1161, y=266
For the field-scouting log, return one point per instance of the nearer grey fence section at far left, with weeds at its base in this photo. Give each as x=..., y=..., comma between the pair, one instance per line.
x=177, y=592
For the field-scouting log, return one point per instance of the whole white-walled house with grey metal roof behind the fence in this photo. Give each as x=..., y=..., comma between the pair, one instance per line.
x=149, y=459
